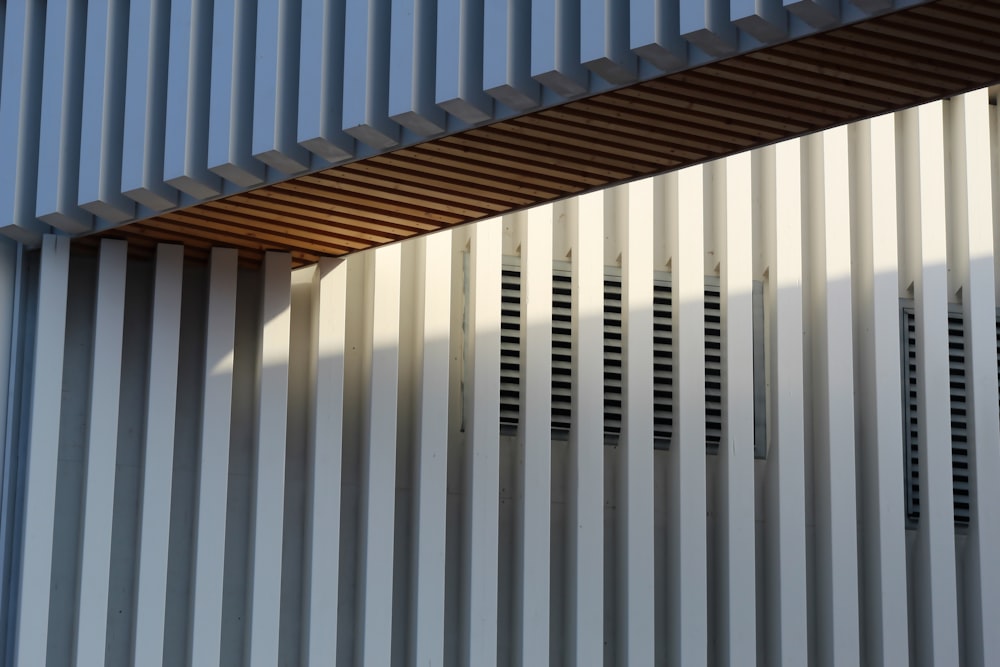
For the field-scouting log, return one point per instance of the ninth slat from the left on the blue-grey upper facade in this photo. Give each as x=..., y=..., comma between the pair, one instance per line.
x=366, y=68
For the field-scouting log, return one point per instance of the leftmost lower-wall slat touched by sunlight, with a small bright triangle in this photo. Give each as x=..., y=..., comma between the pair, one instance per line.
x=213, y=464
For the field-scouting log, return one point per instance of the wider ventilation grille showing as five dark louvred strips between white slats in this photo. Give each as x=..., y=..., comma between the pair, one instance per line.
x=562, y=358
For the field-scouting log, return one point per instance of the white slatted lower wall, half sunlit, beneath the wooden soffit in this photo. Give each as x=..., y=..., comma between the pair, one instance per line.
x=279, y=467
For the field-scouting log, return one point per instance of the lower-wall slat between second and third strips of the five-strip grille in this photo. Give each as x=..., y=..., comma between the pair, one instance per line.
x=585, y=483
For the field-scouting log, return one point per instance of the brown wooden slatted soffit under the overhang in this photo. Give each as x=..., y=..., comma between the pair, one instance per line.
x=884, y=64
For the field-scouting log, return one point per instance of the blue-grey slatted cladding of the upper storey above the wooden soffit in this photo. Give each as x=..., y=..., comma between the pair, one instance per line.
x=113, y=111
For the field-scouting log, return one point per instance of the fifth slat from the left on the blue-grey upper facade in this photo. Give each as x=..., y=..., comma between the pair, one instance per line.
x=185, y=160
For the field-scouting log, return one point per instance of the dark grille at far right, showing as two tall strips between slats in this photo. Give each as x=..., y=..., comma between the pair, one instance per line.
x=959, y=416
